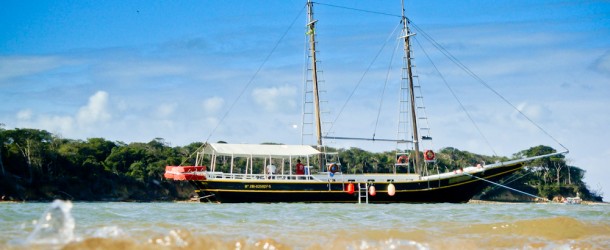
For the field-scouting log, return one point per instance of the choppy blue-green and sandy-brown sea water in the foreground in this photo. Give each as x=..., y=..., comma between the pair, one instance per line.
x=65, y=225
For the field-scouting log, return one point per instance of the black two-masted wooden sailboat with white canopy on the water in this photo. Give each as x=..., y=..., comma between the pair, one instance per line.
x=234, y=173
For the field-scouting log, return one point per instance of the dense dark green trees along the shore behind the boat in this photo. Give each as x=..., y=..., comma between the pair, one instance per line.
x=36, y=165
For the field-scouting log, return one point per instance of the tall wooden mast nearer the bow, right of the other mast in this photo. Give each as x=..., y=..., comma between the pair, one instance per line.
x=407, y=44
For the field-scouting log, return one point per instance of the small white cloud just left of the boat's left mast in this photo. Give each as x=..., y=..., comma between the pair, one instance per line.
x=276, y=98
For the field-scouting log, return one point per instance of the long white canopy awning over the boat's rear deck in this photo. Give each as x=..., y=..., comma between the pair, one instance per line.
x=259, y=150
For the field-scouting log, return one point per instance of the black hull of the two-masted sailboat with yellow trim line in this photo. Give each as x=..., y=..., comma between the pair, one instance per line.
x=455, y=189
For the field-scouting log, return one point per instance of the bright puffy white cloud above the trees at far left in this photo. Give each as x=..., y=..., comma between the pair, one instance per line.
x=95, y=111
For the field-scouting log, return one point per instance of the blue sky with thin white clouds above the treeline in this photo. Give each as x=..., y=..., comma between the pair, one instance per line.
x=194, y=71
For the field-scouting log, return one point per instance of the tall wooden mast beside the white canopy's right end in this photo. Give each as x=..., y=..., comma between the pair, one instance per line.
x=314, y=71
